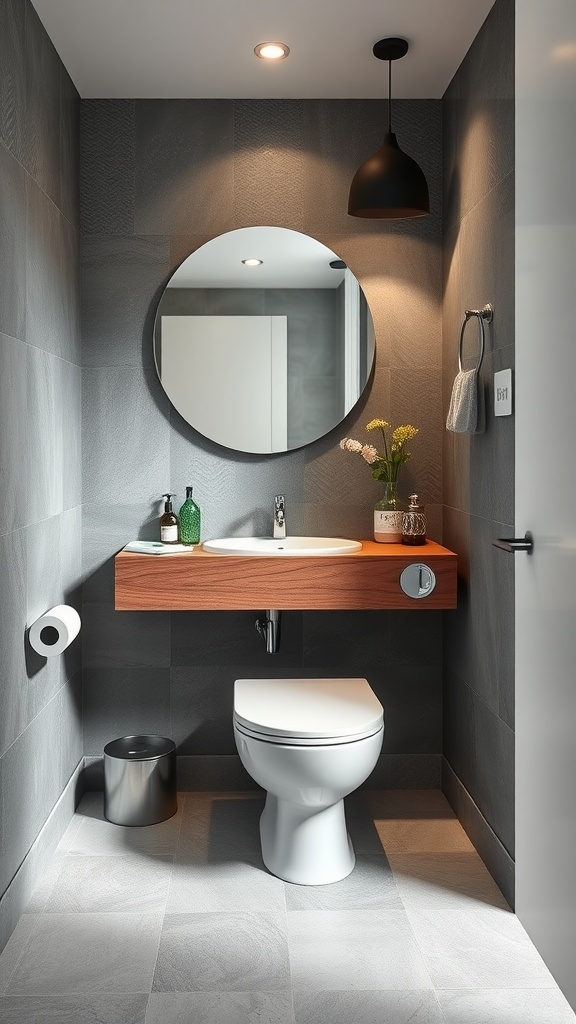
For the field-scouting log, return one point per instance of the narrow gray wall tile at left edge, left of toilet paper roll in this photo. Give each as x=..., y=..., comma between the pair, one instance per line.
x=13, y=638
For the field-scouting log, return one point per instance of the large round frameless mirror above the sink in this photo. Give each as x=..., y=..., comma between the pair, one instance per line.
x=264, y=340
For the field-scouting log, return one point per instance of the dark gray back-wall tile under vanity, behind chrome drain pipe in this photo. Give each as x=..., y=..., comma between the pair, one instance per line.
x=230, y=639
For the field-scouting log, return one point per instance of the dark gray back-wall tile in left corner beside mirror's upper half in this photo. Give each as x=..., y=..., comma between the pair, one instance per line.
x=122, y=282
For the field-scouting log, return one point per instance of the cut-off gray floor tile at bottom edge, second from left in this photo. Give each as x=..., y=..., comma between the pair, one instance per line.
x=218, y=1008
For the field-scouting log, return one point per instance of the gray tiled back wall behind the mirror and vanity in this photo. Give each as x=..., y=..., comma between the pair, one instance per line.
x=158, y=180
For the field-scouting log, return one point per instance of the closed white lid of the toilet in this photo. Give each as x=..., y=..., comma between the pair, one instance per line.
x=322, y=710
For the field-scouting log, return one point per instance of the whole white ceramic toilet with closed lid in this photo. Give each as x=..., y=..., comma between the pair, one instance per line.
x=309, y=743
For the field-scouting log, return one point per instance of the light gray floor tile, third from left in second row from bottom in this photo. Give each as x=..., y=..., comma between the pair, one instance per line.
x=355, y=950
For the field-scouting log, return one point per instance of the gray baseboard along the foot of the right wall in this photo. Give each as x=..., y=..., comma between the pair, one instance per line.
x=495, y=856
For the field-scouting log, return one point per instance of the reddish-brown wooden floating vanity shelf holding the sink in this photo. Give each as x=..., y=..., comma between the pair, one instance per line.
x=201, y=581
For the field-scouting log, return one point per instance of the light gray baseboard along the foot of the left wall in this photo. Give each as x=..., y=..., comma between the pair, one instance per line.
x=19, y=892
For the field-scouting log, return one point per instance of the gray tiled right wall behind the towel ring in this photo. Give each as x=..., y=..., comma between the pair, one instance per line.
x=479, y=472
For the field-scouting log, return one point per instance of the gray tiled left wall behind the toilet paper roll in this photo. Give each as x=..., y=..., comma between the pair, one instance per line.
x=40, y=467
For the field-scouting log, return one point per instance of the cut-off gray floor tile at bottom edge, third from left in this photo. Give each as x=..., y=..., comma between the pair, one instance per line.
x=412, y=1007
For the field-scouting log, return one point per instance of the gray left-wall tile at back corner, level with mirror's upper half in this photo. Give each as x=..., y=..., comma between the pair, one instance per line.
x=53, y=311
